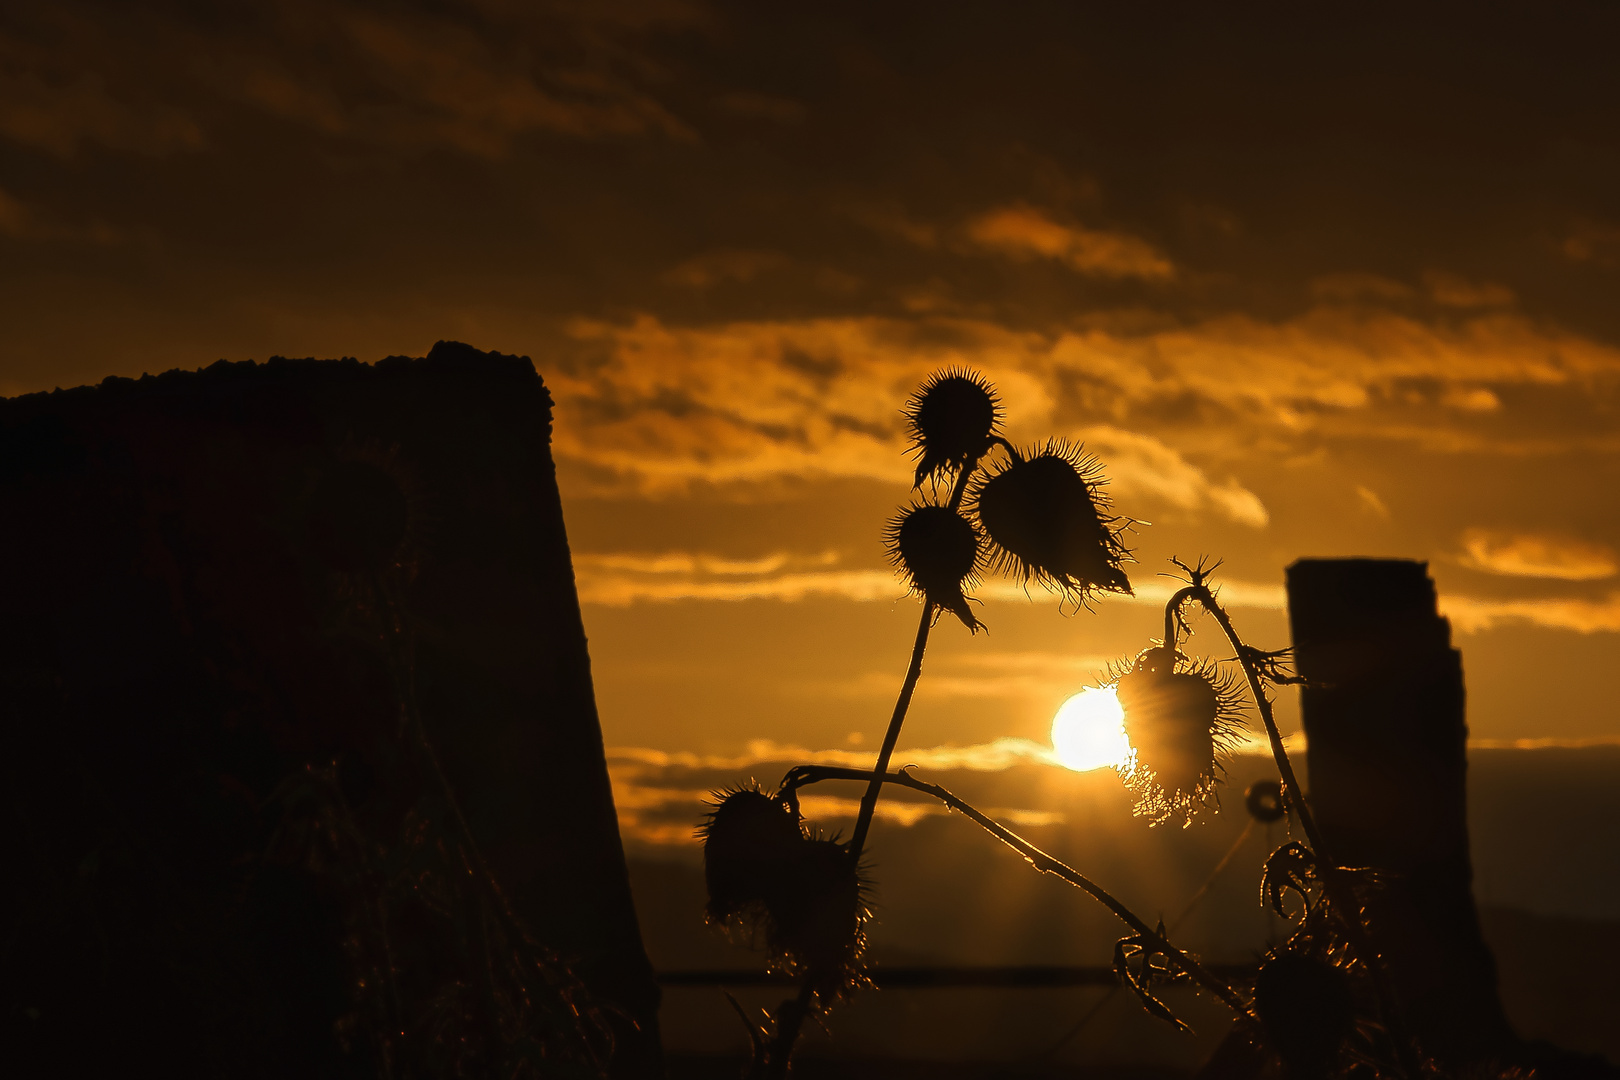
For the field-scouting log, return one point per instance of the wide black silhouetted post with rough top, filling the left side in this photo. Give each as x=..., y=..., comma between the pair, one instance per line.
x=299, y=746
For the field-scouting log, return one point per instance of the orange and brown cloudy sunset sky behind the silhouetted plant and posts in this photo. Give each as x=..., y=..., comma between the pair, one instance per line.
x=1308, y=281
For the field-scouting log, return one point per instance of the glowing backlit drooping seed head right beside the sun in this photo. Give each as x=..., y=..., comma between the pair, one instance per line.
x=1179, y=716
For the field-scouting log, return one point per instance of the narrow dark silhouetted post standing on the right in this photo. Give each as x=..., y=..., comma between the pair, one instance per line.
x=1386, y=734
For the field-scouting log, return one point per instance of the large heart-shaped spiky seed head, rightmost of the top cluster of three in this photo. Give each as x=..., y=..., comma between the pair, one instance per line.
x=1046, y=516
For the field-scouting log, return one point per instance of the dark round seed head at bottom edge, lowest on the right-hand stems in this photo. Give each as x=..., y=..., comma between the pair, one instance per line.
x=1308, y=1011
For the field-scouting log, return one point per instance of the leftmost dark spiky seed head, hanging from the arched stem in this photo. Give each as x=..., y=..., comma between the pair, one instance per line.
x=751, y=844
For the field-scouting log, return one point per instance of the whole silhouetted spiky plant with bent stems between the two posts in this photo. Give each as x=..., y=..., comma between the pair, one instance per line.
x=1042, y=517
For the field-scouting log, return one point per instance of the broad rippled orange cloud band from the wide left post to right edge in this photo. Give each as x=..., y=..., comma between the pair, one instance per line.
x=662, y=406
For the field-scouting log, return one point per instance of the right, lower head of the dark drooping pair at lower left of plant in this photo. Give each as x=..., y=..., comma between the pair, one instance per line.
x=817, y=924
